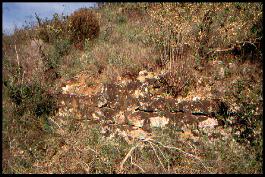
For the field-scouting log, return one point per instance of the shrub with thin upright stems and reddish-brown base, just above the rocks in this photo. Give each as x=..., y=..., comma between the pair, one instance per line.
x=177, y=60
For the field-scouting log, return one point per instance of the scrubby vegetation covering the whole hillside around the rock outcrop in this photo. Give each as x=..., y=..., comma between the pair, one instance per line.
x=201, y=49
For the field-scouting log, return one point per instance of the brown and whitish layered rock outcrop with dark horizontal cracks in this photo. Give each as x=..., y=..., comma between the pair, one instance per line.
x=141, y=105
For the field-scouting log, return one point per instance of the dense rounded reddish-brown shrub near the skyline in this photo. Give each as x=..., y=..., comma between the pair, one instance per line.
x=83, y=24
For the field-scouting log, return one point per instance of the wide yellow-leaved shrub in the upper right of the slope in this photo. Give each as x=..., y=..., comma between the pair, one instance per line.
x=206, y=27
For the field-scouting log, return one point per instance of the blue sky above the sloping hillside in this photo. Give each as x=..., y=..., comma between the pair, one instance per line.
x=15, y=14
